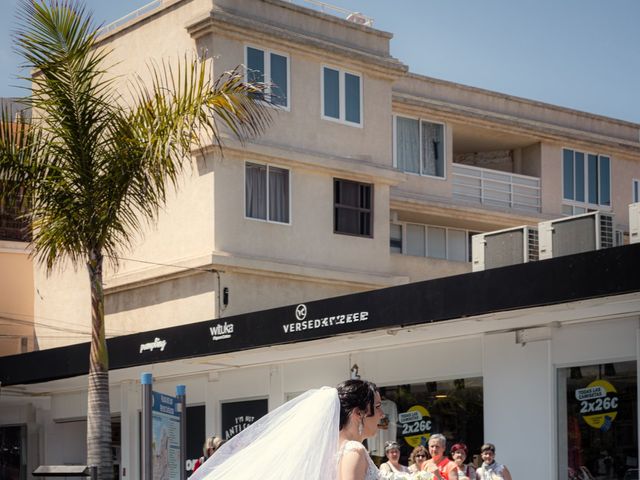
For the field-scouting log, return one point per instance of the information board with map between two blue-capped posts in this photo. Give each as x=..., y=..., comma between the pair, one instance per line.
x=165, y=437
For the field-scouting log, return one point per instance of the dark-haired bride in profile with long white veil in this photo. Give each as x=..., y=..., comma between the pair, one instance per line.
x=316, y=436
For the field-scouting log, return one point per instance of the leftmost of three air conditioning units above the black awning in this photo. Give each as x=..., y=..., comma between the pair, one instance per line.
x=504, y=247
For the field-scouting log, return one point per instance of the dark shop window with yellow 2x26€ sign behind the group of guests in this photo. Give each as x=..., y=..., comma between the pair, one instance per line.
x=416, y=411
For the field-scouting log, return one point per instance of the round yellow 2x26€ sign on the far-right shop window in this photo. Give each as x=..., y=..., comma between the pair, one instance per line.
x=598, y=404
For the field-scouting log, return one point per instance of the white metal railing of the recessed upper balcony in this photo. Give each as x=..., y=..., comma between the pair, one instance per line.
x=496, y=188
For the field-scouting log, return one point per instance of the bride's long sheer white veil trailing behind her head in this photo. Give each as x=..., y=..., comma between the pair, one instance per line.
x=298, y=440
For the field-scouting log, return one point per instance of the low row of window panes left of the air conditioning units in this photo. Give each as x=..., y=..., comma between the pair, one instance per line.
x=431, y=241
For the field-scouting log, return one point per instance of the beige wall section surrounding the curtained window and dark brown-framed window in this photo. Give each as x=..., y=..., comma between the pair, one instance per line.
x=311, y=228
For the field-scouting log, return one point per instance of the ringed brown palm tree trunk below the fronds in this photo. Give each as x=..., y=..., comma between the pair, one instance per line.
x=98, y=411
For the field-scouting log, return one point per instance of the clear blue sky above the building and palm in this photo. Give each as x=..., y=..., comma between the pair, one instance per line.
x=580, y=54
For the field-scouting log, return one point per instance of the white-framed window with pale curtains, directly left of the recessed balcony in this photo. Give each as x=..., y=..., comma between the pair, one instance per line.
x=419, y=147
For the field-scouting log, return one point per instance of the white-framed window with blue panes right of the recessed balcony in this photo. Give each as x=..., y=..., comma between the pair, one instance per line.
x=586, y=181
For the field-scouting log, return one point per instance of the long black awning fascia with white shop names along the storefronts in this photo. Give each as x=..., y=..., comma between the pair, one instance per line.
x=608, y=272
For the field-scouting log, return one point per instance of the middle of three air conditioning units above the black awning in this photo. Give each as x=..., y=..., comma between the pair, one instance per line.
x=576, y=234
